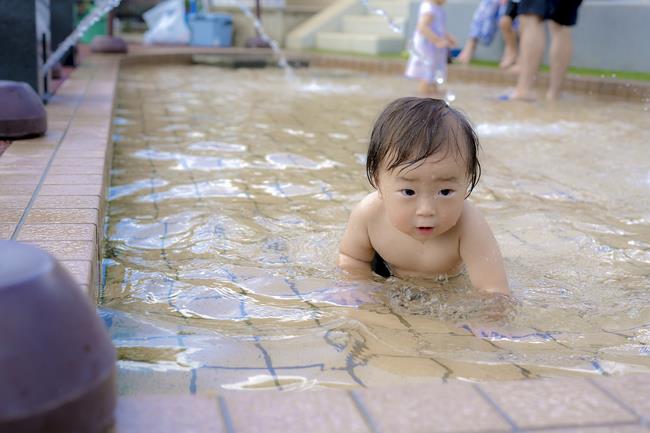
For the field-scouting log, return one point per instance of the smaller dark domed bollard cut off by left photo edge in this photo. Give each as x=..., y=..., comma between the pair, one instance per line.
x=22, y=114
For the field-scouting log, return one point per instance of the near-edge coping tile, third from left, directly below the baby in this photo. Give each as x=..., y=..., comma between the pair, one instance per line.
x=450, y=407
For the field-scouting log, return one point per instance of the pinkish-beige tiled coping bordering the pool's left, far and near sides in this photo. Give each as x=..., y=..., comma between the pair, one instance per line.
x=53, y=195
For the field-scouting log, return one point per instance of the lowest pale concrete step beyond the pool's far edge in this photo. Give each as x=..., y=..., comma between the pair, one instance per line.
x=359, y=43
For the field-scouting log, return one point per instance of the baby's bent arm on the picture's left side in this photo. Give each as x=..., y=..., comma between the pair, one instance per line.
x=355, y=251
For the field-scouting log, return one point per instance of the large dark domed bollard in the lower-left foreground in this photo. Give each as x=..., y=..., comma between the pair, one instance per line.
x=57, y=362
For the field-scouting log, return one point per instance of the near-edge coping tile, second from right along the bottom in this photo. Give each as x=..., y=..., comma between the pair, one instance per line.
x=565, y=403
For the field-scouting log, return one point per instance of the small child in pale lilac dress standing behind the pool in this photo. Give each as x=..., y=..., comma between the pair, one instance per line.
x=428, y=51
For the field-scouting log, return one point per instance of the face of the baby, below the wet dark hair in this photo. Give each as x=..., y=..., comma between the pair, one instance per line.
x=425, y=200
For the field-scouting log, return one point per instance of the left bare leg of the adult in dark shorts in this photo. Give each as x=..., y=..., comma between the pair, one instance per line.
x=531, y=48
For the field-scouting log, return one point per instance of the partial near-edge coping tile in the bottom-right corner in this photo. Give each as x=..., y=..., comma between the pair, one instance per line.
x=633, y=390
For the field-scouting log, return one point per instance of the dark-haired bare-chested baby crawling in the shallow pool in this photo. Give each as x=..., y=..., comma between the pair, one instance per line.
x=423, y=163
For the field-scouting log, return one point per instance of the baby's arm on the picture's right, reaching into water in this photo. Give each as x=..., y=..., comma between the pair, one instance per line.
x=480, y=253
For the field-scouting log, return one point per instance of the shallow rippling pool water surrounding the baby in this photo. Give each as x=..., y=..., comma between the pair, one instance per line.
x=230, y=191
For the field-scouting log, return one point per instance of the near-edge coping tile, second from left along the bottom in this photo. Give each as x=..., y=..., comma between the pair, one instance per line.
x=288, y=412
